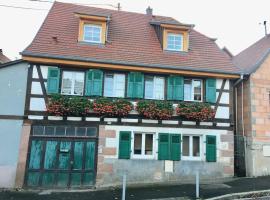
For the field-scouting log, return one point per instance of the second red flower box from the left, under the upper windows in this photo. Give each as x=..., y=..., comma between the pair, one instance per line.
x=113, y=108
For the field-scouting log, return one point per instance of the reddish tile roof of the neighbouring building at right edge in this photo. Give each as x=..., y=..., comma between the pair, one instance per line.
x=250, y=58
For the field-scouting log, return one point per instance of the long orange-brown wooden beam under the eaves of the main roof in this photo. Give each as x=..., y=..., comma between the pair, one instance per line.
x=74, y=63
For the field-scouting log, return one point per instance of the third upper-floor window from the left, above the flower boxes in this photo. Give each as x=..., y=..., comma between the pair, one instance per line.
x=154, y=87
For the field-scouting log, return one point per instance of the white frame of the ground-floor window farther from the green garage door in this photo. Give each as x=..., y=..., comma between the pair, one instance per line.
x=191, y=157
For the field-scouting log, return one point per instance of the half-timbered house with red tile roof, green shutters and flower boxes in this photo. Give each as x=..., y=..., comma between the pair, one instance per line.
x=179, y=84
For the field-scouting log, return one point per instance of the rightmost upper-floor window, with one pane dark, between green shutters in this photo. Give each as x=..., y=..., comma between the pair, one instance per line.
x=192, y=90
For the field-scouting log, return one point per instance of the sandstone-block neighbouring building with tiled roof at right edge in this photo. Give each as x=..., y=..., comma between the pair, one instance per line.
x=253, y=108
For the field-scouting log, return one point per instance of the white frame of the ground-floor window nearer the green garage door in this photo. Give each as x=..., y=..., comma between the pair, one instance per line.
x=143, y=156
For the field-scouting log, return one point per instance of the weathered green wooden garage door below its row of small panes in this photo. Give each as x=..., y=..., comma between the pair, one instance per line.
x=61, y=163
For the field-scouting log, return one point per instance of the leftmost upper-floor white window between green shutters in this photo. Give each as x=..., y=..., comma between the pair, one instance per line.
x=72, y=83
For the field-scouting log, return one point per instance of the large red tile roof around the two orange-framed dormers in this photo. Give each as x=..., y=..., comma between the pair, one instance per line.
x=131, y=40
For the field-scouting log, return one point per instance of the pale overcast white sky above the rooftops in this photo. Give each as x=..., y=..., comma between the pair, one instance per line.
x=235, y=23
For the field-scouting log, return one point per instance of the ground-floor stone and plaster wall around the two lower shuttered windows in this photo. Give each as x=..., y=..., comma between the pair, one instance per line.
x=110, y=169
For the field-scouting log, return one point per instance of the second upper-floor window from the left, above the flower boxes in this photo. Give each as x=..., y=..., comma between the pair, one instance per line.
x=114, y=85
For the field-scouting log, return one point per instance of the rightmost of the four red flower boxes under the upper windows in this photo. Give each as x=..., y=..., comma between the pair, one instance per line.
x=195, y=111
